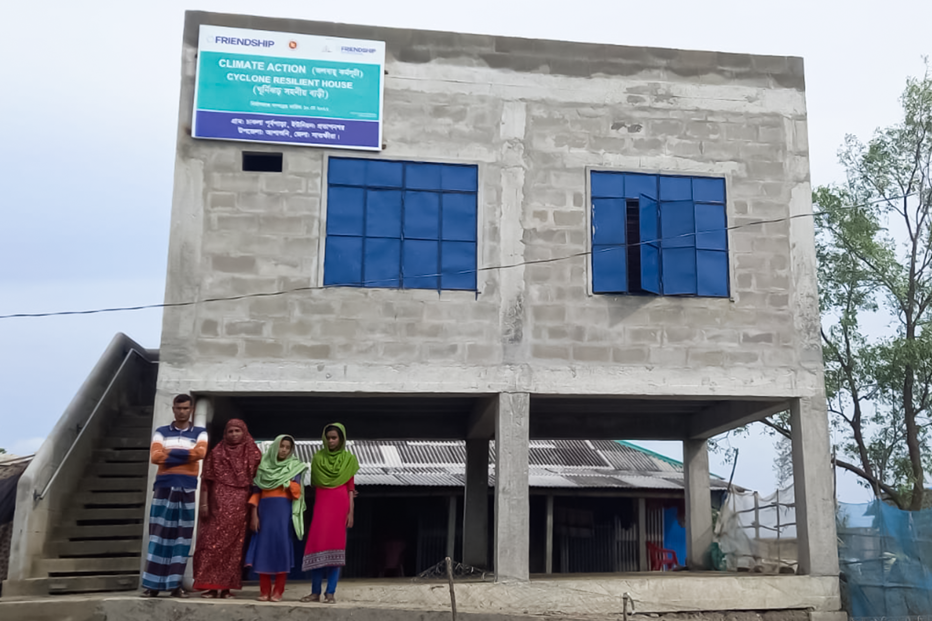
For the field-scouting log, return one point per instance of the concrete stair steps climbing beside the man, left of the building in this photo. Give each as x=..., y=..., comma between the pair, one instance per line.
x=99, y=542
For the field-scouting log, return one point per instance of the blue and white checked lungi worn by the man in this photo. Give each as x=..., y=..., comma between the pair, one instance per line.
x=171, y=527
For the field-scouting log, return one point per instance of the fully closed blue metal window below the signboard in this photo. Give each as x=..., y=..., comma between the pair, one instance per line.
x=404, y=225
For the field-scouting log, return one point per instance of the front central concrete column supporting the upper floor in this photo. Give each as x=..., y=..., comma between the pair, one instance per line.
x=511, y=487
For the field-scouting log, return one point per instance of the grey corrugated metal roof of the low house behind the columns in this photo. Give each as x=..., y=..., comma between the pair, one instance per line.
x=552, y=464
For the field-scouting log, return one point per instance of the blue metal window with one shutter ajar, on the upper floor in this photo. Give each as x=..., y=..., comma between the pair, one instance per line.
x=659, y=234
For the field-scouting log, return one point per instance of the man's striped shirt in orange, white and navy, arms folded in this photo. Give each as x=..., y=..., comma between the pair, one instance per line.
x=176, y=452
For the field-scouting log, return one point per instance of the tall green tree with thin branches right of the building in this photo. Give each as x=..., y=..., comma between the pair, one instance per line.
x=874, y=245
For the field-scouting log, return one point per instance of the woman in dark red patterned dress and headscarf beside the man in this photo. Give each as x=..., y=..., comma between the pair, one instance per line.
x=226, y=484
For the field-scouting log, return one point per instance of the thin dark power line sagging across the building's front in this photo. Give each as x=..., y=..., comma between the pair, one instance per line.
x=576, y=255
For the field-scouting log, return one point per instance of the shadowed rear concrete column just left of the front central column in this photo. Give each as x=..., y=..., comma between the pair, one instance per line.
x=476, y=505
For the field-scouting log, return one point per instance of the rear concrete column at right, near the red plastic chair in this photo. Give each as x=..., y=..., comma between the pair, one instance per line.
x=698, y=503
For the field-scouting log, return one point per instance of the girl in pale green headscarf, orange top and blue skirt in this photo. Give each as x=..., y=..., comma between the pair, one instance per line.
x=277, y=509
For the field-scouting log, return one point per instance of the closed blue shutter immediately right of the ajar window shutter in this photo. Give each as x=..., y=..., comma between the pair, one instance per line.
x=678, y=247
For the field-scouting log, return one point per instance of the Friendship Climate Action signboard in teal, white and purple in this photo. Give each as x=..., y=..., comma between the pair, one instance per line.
x=274, y=87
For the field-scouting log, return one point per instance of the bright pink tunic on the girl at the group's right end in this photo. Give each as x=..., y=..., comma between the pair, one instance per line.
x=326, y=539
